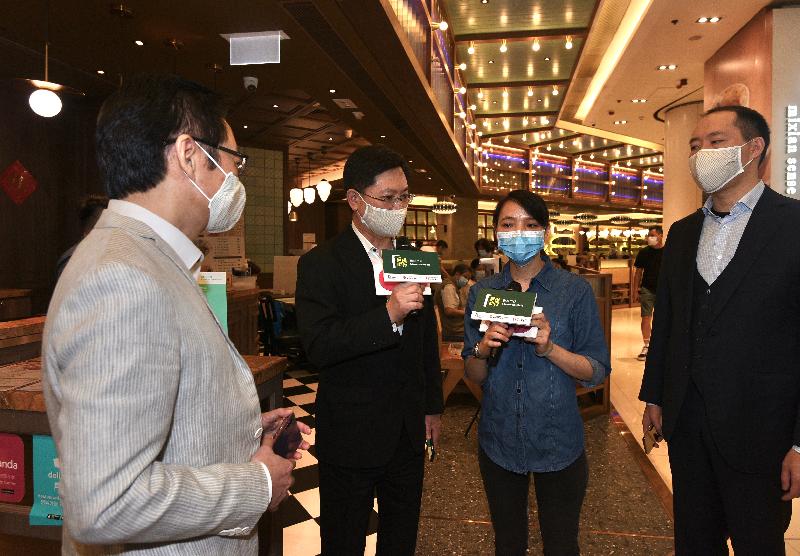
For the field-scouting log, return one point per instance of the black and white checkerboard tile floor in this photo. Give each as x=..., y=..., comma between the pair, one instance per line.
x=300, y=511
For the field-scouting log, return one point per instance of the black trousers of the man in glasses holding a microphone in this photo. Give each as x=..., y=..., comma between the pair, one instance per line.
x=346, y=496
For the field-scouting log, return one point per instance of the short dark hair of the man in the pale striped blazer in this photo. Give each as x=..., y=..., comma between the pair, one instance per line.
x=141, y=117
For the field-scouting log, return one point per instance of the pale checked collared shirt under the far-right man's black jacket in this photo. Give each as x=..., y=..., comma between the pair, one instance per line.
x=721, y=234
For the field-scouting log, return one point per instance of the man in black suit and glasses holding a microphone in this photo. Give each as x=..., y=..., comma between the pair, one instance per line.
x=380, y=386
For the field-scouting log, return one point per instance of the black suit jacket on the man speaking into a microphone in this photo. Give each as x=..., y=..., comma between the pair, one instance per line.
x=373, y=381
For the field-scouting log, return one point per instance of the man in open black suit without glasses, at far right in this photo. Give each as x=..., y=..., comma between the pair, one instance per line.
x=723, y=358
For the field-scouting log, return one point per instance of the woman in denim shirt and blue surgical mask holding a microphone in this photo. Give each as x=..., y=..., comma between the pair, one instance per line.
x=530, y=421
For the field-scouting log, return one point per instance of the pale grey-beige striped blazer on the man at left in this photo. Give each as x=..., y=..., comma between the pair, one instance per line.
x=154, y=413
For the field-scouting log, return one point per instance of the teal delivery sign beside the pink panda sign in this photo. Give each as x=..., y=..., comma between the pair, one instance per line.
x=46, y=509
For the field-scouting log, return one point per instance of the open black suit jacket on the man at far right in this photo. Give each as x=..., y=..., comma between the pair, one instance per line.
x=751, y=360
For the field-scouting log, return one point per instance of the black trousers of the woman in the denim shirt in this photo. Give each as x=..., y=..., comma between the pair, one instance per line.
x=559, y=495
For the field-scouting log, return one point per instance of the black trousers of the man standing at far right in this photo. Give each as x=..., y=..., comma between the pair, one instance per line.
x=713, y=501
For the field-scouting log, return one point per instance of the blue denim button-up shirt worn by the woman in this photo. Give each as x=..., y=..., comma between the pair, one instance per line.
x=530, y=419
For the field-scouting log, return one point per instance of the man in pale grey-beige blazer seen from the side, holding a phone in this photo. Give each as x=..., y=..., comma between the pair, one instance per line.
x=154, y=413
